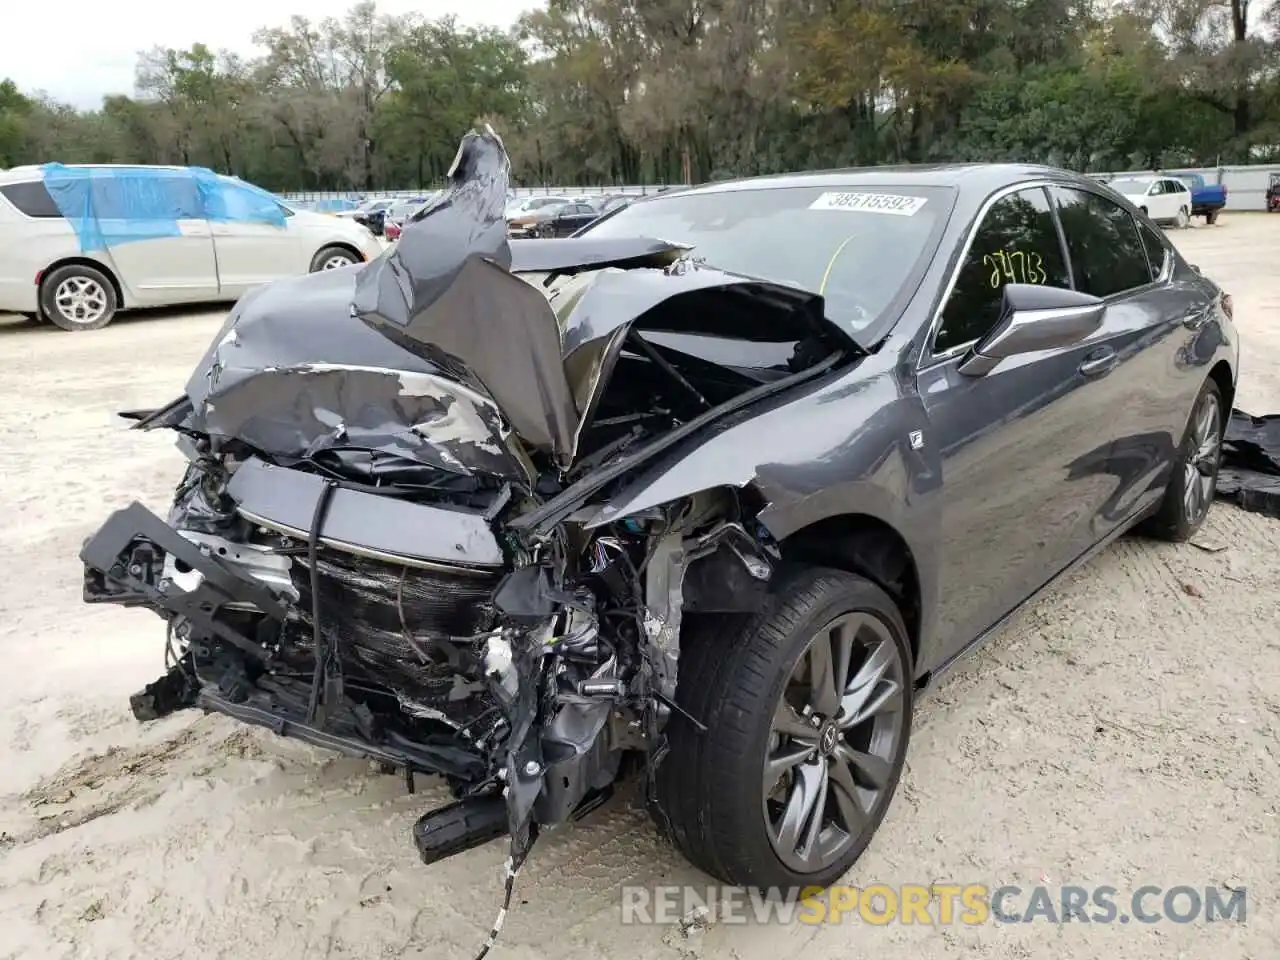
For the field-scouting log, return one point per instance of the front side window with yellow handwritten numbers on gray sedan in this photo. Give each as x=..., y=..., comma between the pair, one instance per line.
x=1016, y=244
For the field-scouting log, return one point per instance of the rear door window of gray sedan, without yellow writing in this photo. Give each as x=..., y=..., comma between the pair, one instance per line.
x=1107, y=252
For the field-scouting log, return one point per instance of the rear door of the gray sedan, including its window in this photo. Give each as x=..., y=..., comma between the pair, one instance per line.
x=1149, y=327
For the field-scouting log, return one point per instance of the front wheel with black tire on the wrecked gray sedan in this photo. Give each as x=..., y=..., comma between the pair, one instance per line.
x=808, y=715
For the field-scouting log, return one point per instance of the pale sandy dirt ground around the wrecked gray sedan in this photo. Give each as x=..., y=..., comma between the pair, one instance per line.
x=1126, y=732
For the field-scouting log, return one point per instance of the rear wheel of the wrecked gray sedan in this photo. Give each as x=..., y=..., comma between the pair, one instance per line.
x=1195, y=479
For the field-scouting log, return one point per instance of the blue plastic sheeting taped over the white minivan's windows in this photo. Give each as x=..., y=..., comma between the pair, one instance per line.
x=112, y=205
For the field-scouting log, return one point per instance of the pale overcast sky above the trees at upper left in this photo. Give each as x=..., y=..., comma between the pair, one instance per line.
x=89, y=48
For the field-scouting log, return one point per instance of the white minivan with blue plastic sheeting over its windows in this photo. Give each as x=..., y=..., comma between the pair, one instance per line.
x=153, y=237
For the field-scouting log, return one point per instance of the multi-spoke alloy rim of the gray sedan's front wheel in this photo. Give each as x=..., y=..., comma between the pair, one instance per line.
x=834, y=739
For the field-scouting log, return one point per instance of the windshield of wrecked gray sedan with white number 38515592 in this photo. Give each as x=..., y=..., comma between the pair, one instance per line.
x=856, y=248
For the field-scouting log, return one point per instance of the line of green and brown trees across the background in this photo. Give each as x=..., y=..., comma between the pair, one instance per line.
x=660, y=92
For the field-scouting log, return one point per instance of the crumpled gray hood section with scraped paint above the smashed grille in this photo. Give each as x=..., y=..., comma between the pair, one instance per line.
x=294, y=374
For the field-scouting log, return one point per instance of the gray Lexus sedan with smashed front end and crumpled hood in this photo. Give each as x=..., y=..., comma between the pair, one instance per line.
x=715, y=490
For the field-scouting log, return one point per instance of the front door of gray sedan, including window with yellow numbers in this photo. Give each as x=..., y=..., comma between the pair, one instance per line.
x=1025, y=447
